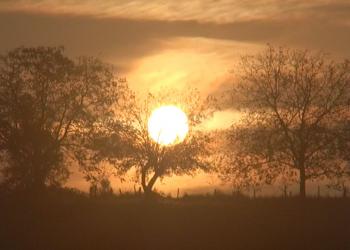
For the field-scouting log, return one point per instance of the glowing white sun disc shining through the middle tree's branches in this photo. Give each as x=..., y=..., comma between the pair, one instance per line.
x=168, y=125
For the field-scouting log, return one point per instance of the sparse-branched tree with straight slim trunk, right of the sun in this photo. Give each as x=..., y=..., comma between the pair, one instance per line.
x=293, y=103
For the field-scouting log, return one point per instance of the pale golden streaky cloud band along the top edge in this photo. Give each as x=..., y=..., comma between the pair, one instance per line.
x=219, y=11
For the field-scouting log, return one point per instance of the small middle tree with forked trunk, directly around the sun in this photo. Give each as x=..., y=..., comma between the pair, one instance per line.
x=149, y=159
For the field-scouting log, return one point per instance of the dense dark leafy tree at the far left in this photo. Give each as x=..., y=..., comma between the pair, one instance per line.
x=48, y=104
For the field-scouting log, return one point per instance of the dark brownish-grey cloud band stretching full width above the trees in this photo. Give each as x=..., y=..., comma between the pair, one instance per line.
x=129, y=38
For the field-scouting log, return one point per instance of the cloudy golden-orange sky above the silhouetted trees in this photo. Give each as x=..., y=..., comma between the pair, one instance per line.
x=179, y=43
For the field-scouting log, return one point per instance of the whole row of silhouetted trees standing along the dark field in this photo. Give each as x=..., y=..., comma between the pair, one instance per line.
x=56, y=111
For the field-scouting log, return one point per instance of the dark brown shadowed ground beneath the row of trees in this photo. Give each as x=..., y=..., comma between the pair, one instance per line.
x=66, y=220
